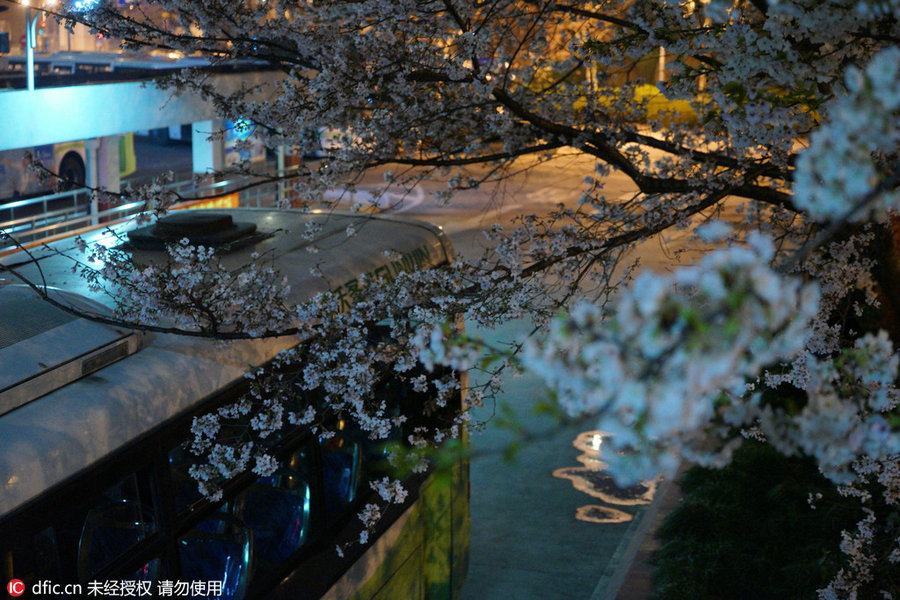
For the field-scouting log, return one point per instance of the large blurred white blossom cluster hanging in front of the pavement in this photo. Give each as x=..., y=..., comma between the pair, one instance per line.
x=675, y=348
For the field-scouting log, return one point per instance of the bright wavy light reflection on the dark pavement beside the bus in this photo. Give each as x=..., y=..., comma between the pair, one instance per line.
x=593, y=481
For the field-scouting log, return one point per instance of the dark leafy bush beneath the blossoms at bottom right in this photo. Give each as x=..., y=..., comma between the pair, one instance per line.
x=748, y=532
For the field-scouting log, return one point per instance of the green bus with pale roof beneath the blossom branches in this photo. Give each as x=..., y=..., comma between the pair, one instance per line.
x=95, y=500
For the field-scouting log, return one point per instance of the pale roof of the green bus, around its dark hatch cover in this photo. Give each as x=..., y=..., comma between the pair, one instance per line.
x=49, y=439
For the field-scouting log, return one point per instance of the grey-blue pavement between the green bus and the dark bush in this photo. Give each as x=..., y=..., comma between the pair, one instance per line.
x=526, y=541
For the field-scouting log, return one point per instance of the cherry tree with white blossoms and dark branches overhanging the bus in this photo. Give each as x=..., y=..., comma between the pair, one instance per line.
x=784, y=114
